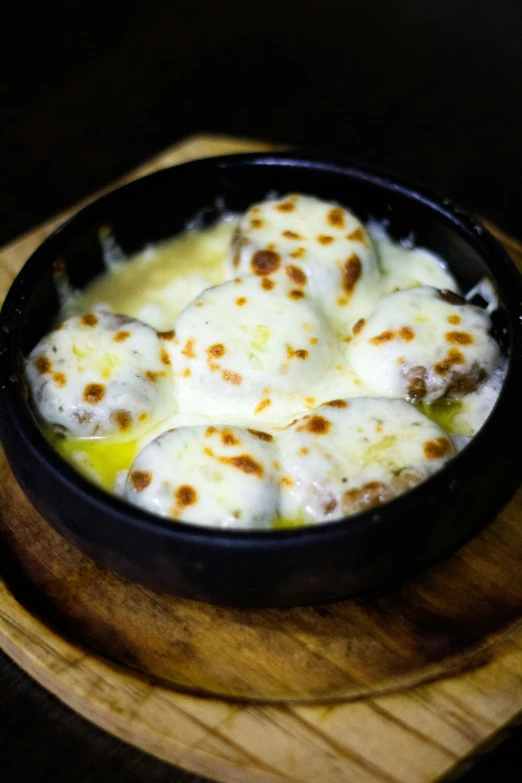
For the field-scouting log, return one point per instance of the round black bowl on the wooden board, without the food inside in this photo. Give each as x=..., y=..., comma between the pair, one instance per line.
x=285, y=567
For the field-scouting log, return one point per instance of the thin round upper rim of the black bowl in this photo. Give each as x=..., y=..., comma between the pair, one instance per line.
x=500, y=265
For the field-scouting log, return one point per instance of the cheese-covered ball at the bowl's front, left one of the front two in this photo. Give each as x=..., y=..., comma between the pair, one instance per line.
x=220, y=476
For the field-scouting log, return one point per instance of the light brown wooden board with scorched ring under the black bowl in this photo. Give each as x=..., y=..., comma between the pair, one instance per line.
x=458, y=622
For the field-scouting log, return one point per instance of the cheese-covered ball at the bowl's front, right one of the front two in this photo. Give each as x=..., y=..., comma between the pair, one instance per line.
x=351, y=455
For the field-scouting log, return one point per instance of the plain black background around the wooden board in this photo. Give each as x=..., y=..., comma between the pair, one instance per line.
x=431, y=90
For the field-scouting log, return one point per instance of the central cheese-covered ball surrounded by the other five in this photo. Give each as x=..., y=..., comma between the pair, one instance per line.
x=242, y=344
